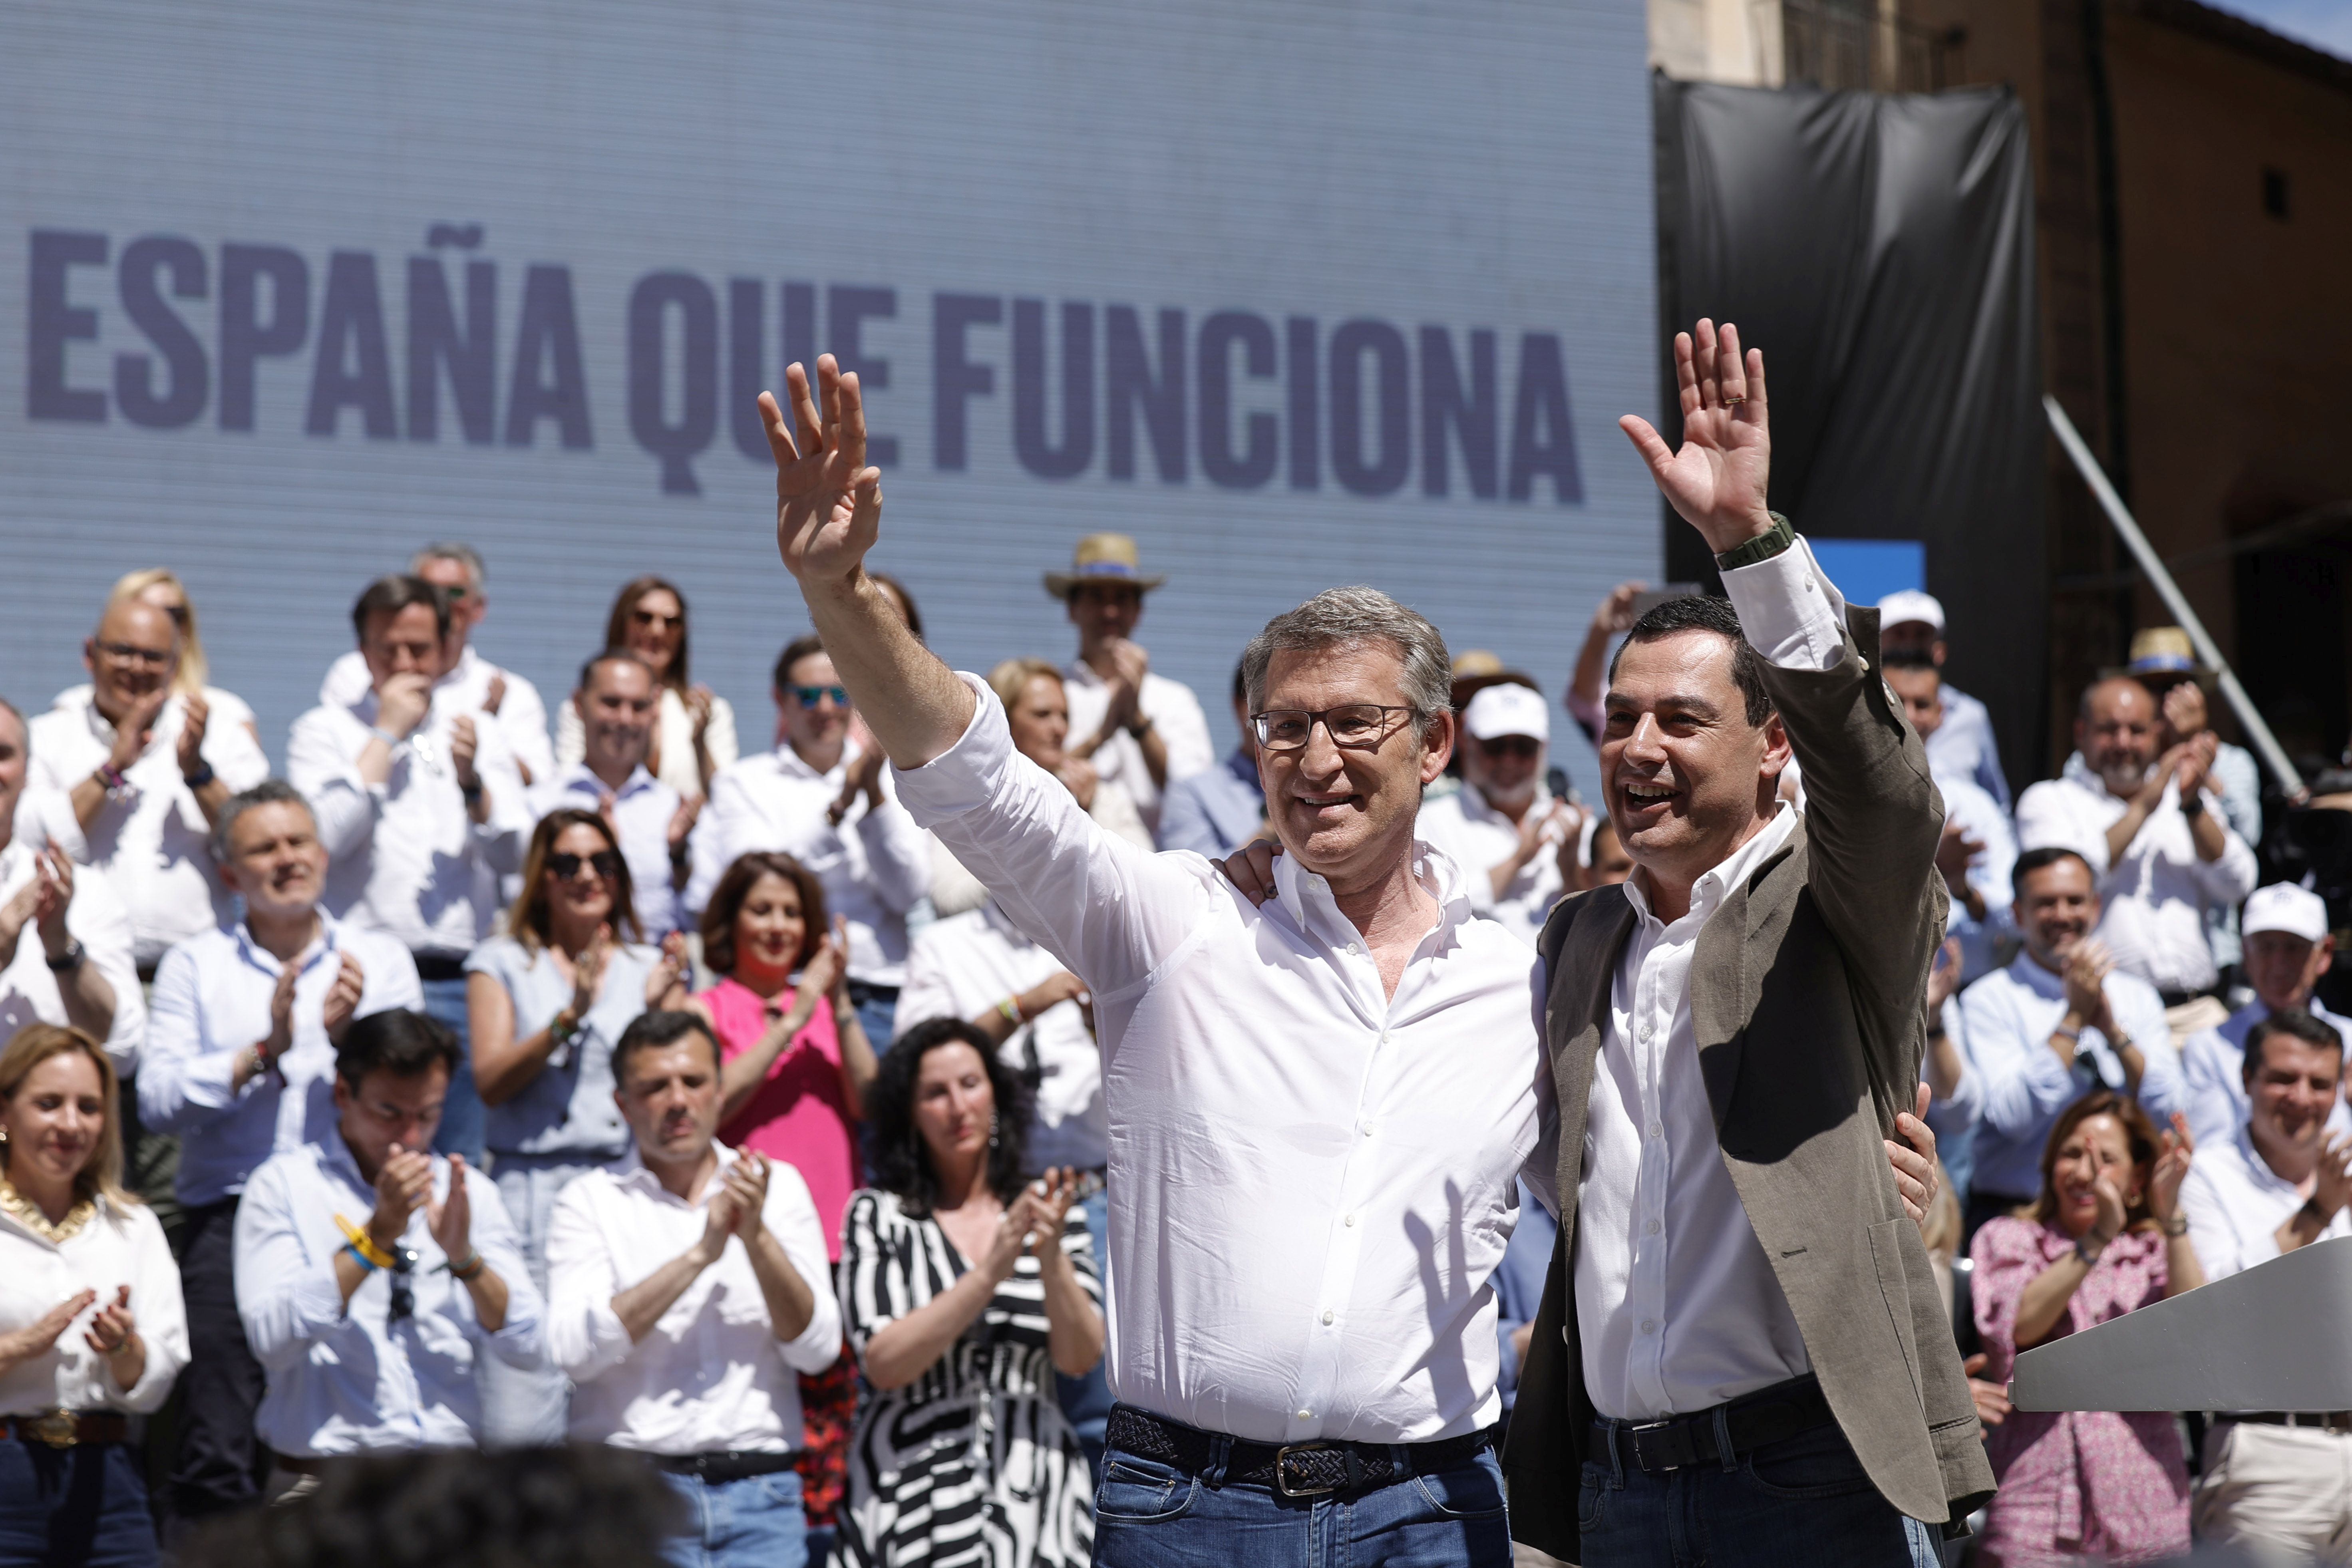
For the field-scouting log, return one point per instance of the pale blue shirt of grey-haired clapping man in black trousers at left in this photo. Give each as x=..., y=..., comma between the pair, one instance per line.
x=213, y=1000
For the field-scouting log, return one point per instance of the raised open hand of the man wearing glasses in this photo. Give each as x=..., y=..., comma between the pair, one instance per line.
x=829, y=502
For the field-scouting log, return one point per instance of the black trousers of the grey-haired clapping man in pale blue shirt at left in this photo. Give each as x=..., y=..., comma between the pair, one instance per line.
x=220, y=1461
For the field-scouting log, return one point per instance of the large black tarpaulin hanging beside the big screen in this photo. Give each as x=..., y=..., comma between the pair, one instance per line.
x=1880, y=250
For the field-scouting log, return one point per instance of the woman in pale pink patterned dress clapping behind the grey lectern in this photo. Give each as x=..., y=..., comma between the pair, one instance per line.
x=2106, y=1238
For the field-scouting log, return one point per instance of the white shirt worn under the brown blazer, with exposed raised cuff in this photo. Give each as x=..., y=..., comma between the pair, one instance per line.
x=1676, y=1301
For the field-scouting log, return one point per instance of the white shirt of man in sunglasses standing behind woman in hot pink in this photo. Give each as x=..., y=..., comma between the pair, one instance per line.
x=874, y=869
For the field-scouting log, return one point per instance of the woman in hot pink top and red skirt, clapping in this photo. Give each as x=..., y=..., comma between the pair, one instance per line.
x=796, y=1068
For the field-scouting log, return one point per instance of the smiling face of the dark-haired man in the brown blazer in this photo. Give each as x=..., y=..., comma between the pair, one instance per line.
x=1688, y=777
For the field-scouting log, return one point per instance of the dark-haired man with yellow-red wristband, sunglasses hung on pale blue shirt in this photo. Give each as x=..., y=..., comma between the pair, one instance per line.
x=373, y=1275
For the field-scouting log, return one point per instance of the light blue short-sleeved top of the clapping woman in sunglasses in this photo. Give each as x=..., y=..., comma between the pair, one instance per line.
x=568, y=1108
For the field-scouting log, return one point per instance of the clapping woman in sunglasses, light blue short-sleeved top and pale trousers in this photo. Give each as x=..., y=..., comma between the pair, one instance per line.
x=544, y=1007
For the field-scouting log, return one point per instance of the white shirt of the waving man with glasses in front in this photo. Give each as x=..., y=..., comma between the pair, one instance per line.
x=1309, y=1179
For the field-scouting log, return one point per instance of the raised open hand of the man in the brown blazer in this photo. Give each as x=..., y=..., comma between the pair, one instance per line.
x=1725, y=462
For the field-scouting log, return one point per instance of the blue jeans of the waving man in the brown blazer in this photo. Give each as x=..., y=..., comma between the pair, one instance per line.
x=1798, y=1503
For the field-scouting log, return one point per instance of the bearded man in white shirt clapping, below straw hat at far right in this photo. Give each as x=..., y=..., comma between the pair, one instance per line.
x=2151, y=833
